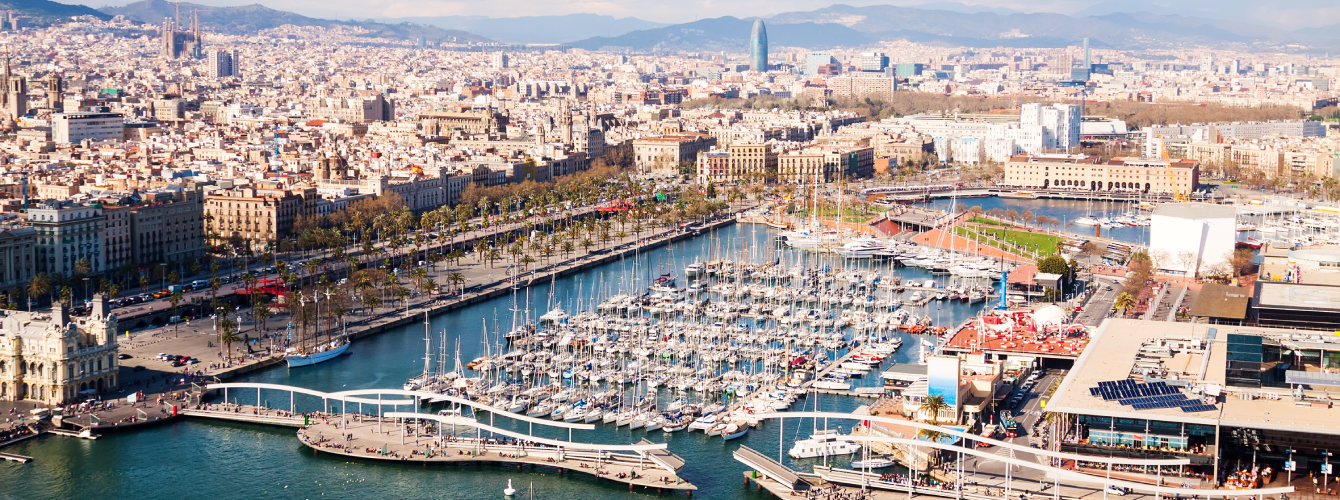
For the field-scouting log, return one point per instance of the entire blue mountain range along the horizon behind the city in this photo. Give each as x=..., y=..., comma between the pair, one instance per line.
x=1108, y=25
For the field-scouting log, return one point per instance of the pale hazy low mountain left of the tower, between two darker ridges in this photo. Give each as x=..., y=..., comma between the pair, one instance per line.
x=538, y=29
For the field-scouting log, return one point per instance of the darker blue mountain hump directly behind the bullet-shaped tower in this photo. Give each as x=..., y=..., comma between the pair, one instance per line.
x=730, y=34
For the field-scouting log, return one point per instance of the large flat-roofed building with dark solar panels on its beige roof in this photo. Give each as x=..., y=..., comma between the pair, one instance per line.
x=1211, y=393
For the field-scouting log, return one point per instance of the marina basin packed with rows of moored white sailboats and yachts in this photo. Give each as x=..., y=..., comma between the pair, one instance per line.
x=683, y=347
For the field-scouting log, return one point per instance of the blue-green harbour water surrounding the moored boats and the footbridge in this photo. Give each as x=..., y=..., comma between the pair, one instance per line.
x=218, y=460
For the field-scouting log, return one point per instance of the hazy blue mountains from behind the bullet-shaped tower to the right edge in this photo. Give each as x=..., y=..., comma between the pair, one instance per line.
x=846, y=26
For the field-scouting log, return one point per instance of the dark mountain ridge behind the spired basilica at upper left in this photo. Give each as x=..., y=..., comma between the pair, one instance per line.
x=250, y=19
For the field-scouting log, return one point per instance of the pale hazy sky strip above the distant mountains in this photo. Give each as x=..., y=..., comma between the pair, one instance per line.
x=1284, y=14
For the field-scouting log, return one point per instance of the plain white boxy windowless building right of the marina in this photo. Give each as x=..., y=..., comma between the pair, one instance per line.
x=1191, y=239
